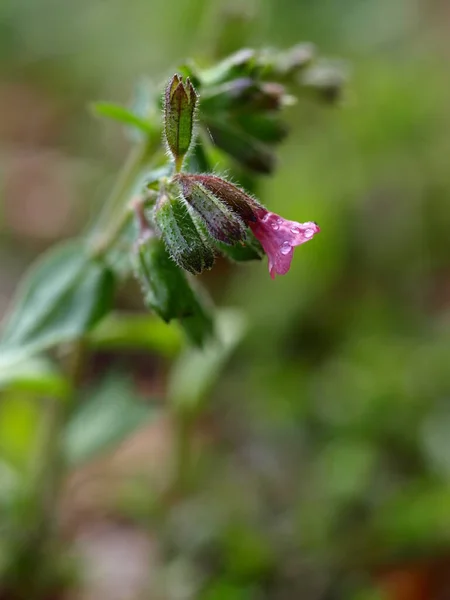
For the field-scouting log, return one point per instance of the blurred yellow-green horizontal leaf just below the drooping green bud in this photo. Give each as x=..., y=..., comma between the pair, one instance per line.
x=136, y=331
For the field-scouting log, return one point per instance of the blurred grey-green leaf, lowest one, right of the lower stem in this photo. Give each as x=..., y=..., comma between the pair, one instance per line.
x=111, y=413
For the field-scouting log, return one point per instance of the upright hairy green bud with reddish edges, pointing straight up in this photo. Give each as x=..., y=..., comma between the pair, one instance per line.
x=180, y=101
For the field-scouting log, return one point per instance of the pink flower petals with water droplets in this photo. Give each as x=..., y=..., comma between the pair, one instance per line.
x=279, y=237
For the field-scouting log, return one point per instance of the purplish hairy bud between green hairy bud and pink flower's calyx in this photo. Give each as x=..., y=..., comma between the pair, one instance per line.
x=221, y=221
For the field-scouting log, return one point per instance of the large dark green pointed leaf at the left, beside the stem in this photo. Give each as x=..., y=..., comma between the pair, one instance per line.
x=63, y=296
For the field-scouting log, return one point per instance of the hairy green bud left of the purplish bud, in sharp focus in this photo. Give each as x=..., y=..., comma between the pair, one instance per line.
x=184, y=241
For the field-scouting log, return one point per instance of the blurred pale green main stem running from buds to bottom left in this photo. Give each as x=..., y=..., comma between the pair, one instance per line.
x=37, y=556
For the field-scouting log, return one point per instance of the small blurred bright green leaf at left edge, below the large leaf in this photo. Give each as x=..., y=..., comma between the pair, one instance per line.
x=35, y=375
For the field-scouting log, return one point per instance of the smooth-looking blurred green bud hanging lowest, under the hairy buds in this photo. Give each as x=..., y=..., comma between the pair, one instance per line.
x=167, y=291
